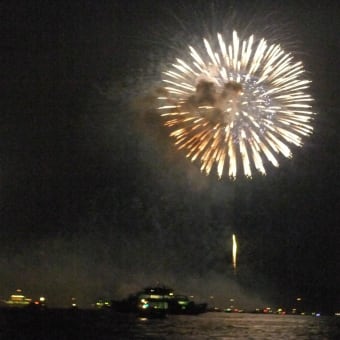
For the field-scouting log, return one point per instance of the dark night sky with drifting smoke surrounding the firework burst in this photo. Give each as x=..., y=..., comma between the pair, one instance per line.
x=95, y=200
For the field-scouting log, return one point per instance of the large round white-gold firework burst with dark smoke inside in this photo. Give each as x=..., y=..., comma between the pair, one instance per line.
x=244, y=103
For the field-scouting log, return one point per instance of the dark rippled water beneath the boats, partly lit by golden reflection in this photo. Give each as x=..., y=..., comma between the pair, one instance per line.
x=81, y=324
